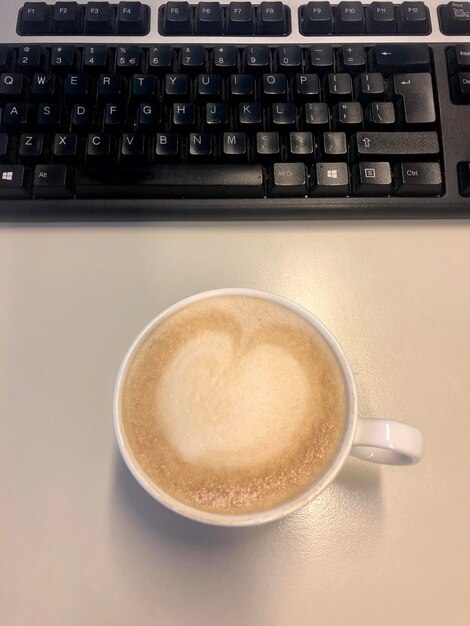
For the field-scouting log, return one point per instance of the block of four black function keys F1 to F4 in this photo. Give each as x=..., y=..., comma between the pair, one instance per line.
x=94, y=18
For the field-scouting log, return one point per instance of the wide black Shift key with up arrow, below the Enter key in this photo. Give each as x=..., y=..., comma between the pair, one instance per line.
x=399, y=144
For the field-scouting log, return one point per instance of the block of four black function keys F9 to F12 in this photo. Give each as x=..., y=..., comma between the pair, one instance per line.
x=354, y=18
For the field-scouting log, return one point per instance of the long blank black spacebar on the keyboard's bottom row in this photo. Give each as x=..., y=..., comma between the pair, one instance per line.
x=170, y=181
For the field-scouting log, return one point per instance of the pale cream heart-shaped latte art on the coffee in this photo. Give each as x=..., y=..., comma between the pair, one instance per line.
x=228, y=406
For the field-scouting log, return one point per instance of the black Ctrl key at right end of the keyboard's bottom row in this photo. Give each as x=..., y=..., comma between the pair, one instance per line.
x=418, y=179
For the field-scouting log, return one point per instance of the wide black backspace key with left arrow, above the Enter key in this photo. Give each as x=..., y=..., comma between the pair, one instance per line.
x=408, y=58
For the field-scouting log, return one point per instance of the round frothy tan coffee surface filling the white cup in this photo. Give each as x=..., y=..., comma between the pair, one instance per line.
x=234, y=404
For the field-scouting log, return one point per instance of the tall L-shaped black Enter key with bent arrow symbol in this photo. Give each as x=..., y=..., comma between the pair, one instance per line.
x=417, y=95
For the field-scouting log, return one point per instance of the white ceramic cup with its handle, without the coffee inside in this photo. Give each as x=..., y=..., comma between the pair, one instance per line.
x=376, y=440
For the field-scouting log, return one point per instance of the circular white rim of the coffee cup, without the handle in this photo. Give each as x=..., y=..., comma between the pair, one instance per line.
x=280, y=510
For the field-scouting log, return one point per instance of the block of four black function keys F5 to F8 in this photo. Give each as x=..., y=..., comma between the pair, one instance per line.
x=212, y=19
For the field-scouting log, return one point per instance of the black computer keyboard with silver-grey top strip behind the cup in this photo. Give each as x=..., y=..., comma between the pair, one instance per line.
x=170, y=110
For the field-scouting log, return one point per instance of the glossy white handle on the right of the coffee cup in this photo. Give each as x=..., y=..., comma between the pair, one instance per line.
x=387, y=441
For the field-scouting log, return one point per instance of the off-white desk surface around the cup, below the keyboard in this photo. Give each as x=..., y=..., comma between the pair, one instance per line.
x=82, y=544
